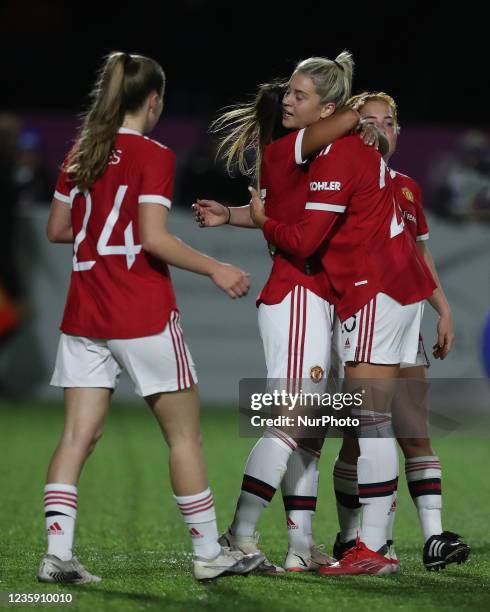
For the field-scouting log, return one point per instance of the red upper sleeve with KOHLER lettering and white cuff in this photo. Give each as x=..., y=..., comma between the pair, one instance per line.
x=331, y=181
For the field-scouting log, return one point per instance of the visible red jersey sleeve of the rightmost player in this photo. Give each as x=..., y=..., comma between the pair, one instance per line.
x=409, y=198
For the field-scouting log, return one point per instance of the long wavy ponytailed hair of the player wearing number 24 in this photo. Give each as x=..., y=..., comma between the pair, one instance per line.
x=123, y=84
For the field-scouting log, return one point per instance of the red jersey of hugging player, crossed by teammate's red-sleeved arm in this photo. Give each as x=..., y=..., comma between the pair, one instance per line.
x=284, y=186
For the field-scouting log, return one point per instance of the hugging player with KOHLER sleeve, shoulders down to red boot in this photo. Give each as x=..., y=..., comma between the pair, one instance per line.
x=378, y=303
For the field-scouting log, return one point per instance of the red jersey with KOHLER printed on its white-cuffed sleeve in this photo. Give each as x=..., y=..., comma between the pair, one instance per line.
x=352, y=215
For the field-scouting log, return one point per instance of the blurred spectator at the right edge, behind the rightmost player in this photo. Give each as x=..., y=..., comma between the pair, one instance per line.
x=461, y=180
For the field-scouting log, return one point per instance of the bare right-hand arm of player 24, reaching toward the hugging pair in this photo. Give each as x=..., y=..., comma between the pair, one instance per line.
x=158, y=242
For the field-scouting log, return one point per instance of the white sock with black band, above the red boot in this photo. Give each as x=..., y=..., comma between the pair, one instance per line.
x=377, y=470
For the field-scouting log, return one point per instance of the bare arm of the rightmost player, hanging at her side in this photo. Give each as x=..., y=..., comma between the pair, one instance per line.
x=438, y=301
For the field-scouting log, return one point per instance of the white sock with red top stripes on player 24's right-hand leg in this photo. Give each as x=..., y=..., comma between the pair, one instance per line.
x=200, y=516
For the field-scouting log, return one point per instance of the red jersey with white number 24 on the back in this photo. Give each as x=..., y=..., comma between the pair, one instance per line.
x=116, y=289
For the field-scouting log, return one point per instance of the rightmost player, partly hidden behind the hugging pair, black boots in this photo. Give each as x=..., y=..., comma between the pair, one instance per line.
x=422, y=466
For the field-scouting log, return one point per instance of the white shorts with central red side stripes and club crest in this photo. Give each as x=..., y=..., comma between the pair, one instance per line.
x=297, y=338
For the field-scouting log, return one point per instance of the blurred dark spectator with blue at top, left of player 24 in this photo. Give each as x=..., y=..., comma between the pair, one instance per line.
x=32, y=177
